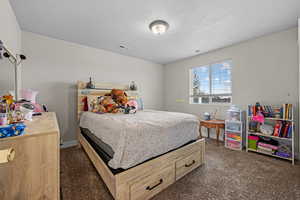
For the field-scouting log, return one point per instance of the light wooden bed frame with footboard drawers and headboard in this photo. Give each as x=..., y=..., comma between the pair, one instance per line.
x=149, y=178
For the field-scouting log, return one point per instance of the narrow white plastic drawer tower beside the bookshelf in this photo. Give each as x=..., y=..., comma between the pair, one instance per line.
x=234, y=128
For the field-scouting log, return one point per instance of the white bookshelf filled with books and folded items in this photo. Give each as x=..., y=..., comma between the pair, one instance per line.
x=275, y=135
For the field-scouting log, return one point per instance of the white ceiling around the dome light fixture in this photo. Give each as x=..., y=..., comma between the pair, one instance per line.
x=202, y=25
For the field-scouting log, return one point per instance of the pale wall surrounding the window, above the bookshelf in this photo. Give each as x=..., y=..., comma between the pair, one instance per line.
x=264, y=70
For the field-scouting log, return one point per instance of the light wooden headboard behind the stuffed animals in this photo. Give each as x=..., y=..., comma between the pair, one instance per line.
x=100, y=89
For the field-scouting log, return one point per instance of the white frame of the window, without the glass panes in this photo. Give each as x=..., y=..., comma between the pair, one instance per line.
x=209, y=65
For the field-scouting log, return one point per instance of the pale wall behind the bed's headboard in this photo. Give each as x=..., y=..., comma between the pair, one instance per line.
x=54, y=66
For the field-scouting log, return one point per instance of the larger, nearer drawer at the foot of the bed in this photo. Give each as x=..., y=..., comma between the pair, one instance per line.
x=153, y=184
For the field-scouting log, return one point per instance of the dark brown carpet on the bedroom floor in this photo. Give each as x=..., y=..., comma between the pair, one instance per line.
x=227, y=175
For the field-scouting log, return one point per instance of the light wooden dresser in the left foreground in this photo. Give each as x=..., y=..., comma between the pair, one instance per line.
x=31, y=171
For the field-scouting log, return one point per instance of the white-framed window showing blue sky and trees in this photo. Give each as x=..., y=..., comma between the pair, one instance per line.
x=211, y=83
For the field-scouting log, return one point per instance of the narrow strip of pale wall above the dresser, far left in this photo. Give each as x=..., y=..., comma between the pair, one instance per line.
x=10, y=34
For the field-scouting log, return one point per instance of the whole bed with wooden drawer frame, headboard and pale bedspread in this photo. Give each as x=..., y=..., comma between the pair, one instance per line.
x=141, y=154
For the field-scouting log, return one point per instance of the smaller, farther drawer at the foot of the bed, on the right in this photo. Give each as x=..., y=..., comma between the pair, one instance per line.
x=188, y=164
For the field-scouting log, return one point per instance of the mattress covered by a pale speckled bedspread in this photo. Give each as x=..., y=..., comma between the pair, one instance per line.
x=135, y=138
